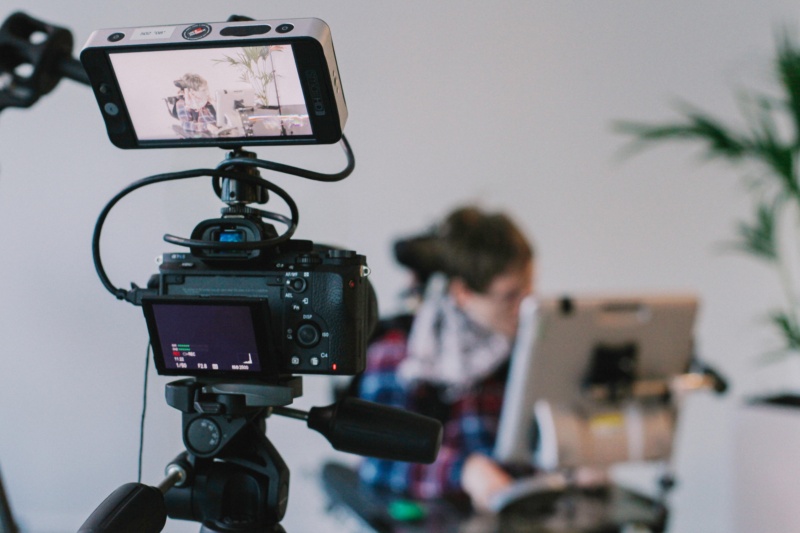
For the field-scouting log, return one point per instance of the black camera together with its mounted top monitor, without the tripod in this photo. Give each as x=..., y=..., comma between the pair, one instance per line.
x=243, y=303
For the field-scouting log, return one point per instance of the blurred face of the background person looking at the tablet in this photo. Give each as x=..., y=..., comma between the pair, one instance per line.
x=498, y=308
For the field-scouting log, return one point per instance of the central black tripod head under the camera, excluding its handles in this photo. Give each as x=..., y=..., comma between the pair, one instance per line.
x=238, y=482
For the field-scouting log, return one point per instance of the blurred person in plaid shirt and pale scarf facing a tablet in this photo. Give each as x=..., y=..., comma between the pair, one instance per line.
x=450, y=361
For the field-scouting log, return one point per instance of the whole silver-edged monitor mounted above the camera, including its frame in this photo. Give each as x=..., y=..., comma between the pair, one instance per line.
x=226, y=84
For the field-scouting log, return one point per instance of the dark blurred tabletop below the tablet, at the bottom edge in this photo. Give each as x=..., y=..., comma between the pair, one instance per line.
x=607, y=511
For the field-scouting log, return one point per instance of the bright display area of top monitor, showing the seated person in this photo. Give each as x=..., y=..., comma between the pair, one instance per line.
x=227, y=93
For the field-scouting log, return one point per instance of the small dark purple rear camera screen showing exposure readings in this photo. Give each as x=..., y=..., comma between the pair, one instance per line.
x=209, y=336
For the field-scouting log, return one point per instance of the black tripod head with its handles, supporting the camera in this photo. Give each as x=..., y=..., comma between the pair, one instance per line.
x=231, y=478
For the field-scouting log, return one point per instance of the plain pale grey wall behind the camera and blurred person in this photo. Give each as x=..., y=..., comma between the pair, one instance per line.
x=505, y=103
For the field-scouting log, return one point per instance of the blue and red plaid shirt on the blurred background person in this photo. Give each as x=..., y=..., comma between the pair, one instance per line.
x=470, y=423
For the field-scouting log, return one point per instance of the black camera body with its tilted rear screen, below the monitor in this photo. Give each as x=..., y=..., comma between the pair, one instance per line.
x=303, y=309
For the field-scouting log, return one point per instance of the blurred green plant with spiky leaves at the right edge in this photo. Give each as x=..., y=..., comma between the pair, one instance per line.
x=767, y=148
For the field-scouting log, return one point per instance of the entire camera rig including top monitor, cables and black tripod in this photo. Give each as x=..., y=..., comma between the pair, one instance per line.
x=245, y=309
